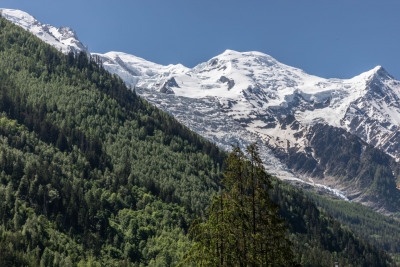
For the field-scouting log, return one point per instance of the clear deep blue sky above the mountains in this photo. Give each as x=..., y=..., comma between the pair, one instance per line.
x=332, y=39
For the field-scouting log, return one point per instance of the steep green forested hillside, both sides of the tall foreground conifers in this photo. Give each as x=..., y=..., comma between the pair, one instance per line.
x=92, y=174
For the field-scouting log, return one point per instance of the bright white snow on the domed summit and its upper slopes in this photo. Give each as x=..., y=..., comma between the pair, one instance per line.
x=260, y=82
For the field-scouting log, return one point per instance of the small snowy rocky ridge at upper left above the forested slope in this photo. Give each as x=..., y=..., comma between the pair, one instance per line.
x=63, y=38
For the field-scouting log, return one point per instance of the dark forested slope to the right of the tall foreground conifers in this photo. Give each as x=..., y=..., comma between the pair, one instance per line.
x=318, y=239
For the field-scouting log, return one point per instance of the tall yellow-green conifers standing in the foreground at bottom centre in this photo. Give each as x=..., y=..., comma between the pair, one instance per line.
x=243, y=227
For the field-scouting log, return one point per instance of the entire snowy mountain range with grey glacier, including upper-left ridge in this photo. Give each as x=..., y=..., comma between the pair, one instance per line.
x=242, y=97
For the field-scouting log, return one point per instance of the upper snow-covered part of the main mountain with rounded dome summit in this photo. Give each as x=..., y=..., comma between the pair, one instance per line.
x=256, y=89
